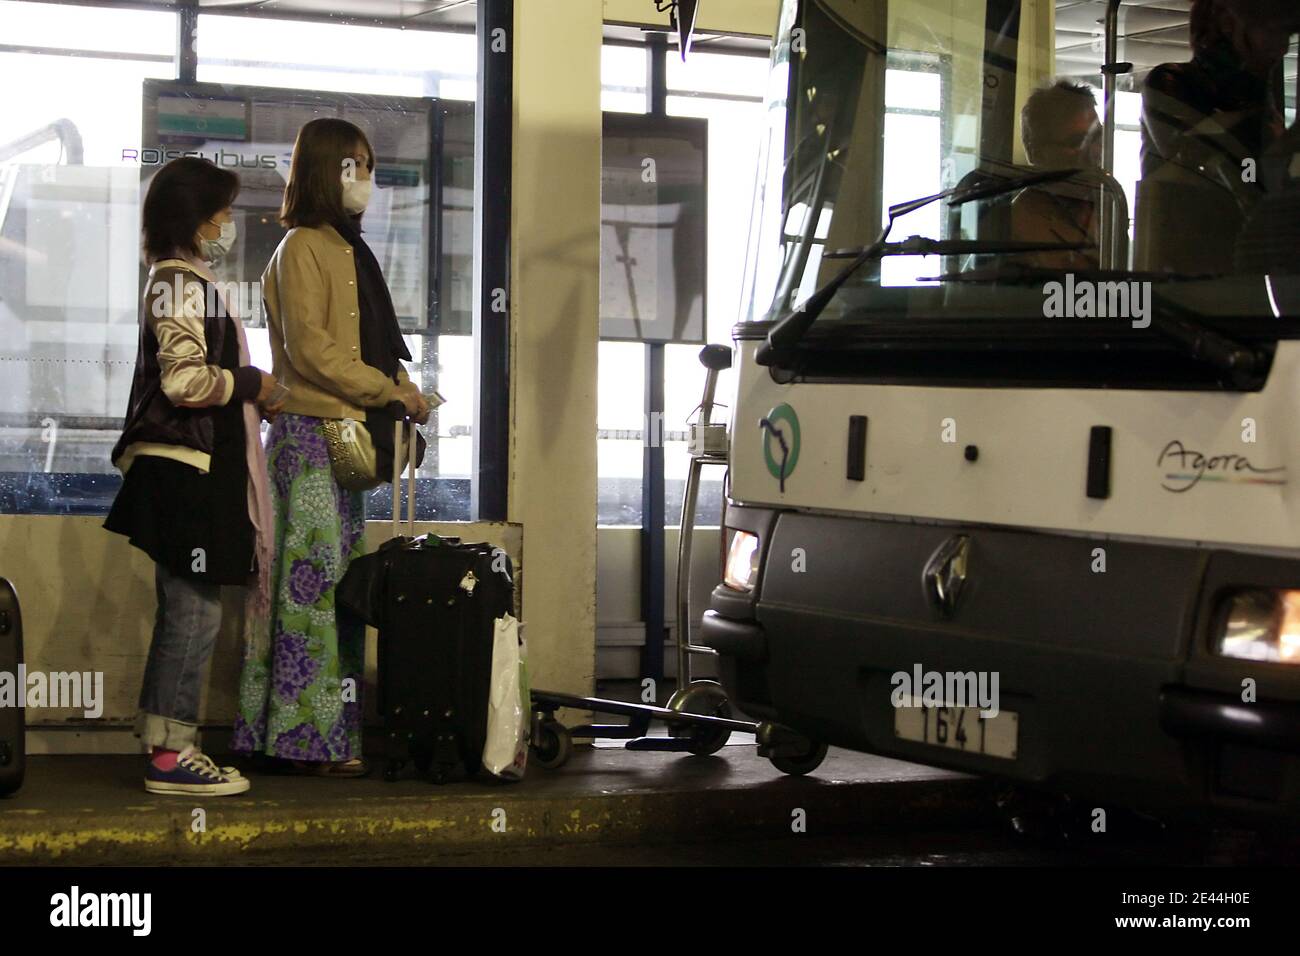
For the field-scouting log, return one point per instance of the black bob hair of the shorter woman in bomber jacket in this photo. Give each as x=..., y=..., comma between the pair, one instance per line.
x=185, y=194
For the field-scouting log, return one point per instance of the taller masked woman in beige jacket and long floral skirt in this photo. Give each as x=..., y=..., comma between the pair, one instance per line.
x=337, y=347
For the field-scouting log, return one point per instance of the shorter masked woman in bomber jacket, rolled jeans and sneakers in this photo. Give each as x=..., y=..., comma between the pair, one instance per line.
x=194, y=494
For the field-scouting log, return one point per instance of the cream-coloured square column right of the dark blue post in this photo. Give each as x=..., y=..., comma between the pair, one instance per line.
x=556, y=262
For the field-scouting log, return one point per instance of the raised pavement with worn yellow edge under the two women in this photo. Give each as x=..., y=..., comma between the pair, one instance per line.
x=94, y=811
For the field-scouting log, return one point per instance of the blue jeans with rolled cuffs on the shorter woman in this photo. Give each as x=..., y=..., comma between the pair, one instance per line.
x=185, y=631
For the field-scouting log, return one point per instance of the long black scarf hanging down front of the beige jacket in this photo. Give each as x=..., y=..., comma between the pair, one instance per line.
x=383, y=347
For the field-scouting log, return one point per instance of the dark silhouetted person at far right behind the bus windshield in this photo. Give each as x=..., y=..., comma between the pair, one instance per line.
x=1204, y=123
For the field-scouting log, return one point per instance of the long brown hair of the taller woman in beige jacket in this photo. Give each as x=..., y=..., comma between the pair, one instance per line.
x=314, y=194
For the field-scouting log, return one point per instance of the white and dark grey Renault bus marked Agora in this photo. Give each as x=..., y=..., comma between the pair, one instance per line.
x=1016, y=443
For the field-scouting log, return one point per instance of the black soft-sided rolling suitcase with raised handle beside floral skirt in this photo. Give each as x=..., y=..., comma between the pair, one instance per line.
x=435, y=603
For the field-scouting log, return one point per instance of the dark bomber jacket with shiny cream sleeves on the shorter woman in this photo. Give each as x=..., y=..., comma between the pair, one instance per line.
x=179, y=378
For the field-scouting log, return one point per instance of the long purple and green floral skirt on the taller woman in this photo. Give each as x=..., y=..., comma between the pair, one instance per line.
x=301, y=687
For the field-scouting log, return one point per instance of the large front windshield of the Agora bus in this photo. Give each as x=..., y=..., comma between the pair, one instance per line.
x=1091, y=161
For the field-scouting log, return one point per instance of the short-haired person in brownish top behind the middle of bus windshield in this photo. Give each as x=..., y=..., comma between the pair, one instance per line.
x=1061, y=131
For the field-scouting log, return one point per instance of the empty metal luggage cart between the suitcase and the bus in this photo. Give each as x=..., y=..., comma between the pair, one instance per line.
x=699, y=715
